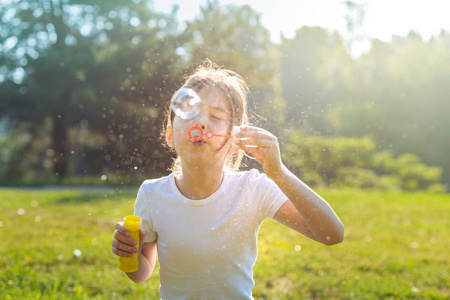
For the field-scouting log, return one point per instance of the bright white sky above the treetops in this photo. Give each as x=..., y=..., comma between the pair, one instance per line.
x=383, y=19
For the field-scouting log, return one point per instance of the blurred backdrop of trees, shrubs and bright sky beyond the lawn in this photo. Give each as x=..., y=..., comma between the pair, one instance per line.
x=84, y=87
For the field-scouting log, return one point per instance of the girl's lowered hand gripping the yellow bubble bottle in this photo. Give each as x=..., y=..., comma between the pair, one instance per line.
x=123, y=244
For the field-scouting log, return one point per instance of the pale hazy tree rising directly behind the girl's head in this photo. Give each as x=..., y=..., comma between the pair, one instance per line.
x=233, y=36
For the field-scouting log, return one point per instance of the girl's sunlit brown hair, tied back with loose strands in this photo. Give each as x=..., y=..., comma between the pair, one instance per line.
x=235, y=89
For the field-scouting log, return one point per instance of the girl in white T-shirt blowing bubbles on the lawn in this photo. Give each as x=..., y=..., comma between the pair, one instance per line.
x=203, y=219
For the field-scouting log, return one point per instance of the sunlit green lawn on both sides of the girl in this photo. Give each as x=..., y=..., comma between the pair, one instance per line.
x=56, y=244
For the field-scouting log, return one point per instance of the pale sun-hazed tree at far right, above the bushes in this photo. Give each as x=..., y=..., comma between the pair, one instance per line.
x=399, y=96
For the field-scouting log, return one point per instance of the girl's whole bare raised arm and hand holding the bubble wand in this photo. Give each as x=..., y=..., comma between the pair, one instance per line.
x=305, y=212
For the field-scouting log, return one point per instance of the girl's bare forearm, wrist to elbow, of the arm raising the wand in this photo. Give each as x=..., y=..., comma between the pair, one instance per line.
x=318, y=215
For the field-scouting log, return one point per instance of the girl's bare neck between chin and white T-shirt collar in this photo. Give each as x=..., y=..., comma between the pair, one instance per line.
x=198, y=183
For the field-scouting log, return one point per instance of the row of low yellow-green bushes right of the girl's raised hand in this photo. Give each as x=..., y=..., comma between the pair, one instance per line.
x=356, y=162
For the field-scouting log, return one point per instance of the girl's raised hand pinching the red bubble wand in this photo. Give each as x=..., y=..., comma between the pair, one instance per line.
x=264, y=147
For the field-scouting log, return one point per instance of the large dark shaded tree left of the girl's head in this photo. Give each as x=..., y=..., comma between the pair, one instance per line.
x=101, y=65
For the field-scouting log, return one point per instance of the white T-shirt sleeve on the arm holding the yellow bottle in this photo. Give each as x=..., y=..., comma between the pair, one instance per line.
x=142, y=209
